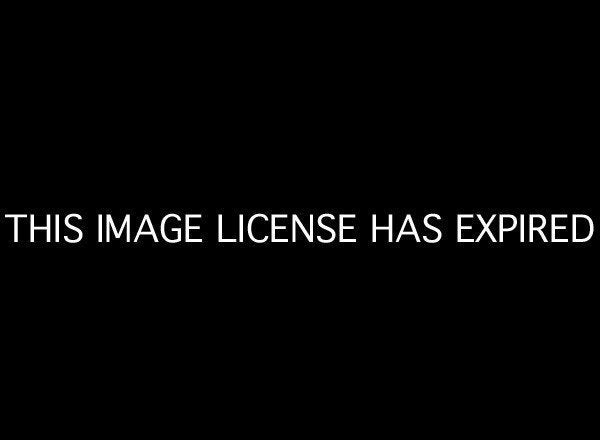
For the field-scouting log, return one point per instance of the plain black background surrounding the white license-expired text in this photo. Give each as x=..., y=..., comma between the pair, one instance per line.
x=368, y=113
